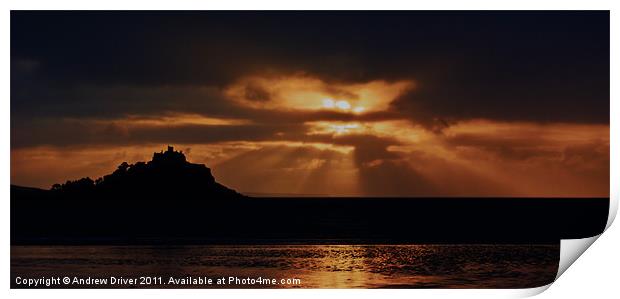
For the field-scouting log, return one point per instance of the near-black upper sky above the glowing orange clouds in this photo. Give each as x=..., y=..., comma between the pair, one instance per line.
x=531, y=66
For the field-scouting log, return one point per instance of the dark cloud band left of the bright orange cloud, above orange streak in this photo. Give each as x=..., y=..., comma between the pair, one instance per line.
x=82, y=101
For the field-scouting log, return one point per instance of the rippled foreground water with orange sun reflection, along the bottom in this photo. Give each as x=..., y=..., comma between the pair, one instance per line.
x=297, y=266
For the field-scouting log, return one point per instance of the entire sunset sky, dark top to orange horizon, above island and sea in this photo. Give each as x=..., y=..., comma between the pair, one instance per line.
x=323, y=103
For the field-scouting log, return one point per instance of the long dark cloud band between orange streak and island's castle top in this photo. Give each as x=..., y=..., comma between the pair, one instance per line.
x=86, y=132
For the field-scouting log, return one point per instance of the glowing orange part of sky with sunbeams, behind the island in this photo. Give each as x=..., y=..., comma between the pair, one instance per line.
x=337, y=139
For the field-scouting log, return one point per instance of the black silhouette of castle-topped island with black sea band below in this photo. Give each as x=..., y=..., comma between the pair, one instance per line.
x=169, y=200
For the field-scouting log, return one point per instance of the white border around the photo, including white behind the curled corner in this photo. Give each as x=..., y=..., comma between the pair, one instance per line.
x=578, y=282
